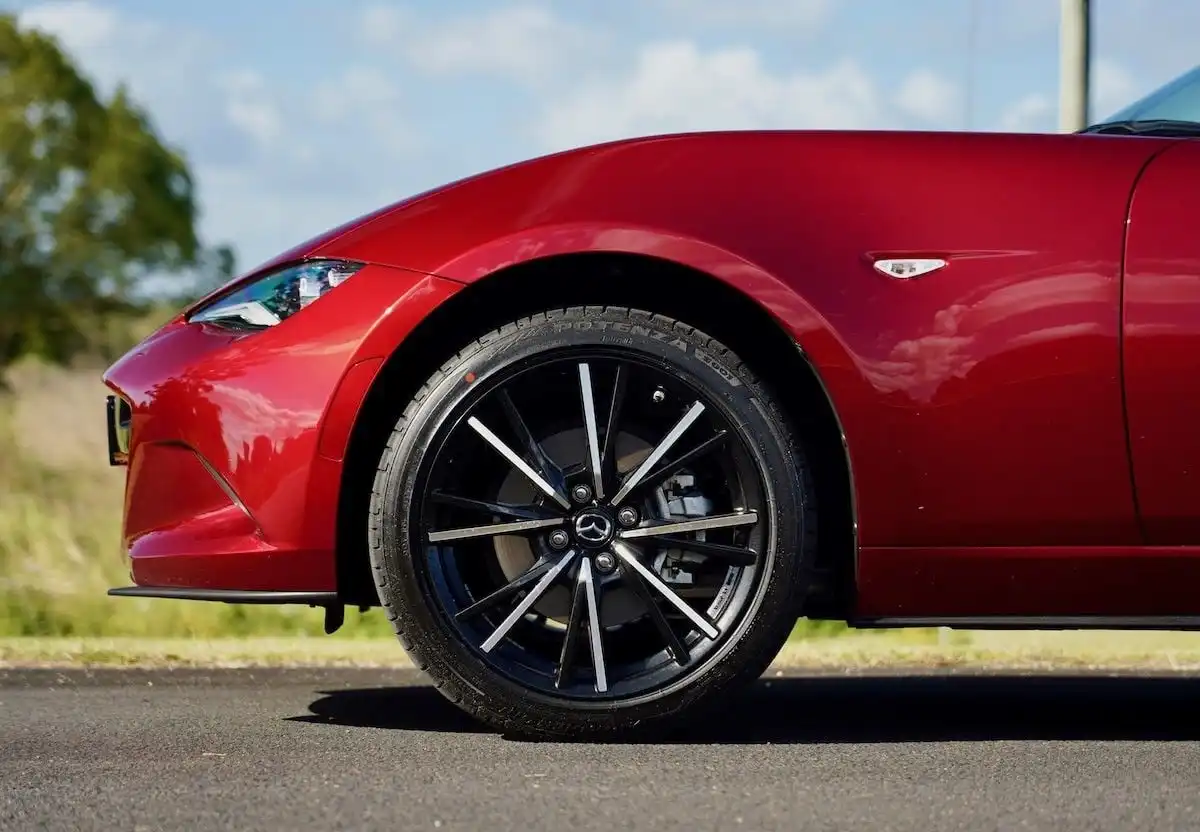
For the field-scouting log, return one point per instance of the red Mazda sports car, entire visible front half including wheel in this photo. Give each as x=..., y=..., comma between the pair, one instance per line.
x=597, y=429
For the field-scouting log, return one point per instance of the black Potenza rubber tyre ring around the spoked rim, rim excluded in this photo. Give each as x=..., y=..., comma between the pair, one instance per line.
x=428, y=632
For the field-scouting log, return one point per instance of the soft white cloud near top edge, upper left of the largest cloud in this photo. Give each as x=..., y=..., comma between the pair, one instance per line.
x=525, y=43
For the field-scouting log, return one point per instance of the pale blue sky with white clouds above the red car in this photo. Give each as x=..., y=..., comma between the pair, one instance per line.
x=299, y=115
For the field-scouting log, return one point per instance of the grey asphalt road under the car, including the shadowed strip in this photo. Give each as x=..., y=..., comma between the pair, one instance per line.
x=379, y=750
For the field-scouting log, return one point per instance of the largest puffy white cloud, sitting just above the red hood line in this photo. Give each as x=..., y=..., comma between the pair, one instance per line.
x=676, y=87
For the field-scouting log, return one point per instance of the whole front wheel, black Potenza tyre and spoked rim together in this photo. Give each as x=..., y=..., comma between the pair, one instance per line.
x=453, y=590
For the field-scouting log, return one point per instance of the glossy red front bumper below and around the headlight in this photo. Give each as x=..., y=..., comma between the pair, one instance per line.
x=235, y=442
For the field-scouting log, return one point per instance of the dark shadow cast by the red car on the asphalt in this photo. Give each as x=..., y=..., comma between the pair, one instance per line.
x=863, y=710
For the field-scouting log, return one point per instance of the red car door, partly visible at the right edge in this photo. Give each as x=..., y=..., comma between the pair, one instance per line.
x=1162, y=345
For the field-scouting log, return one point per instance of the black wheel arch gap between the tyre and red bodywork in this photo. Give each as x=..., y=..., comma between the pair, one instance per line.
x=599, y=278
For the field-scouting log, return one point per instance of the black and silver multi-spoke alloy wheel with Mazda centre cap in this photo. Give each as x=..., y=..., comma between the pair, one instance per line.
x=590, y=524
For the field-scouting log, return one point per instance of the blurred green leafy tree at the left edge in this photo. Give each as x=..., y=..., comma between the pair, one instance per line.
x=93, y=202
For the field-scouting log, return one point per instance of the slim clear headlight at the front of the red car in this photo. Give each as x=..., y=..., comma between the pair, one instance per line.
x=278, y=296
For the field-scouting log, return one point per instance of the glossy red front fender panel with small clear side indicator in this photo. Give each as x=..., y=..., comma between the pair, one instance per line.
x=945, y=386
